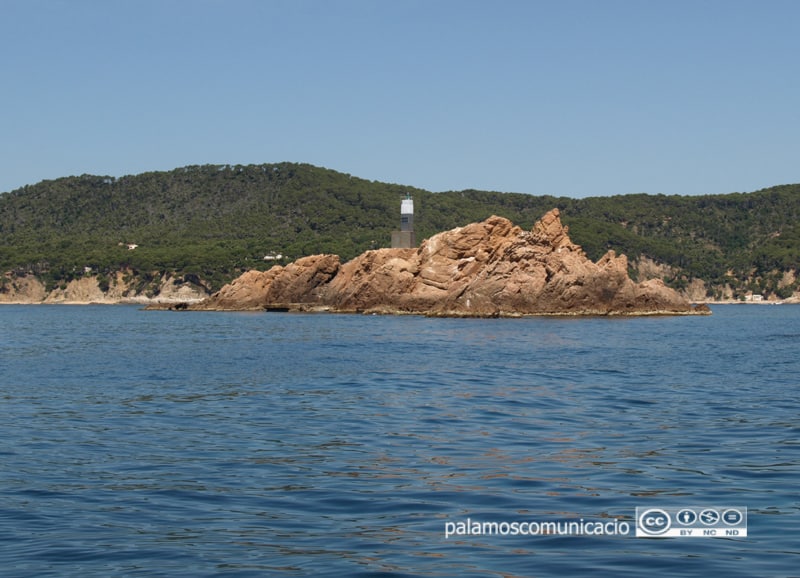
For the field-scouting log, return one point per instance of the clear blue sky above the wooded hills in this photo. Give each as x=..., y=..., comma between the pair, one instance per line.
x=570, y=97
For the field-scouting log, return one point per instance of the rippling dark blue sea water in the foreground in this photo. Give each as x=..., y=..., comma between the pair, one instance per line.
x=227, y=444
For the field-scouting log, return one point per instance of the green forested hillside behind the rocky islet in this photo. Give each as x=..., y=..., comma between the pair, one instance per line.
x=215, y=221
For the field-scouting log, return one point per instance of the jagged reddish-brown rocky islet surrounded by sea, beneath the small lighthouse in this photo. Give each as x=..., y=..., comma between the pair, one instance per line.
x=492, y=268
